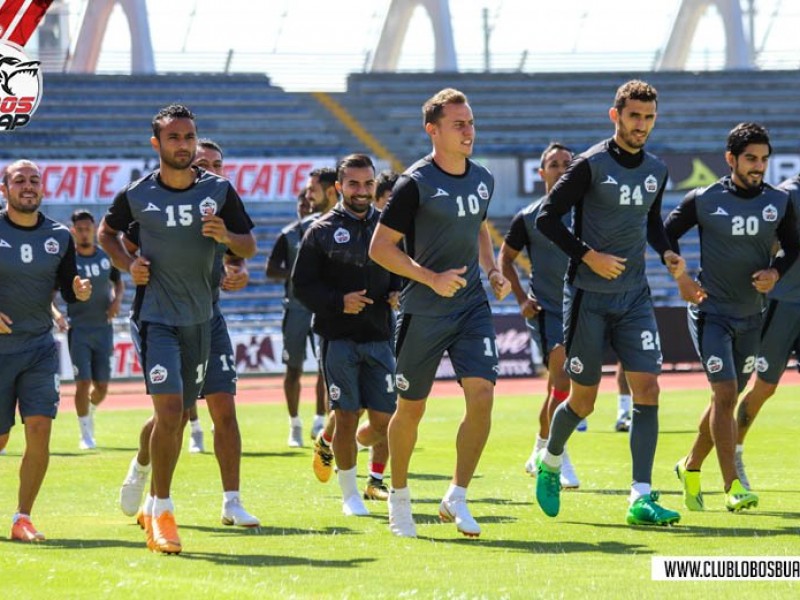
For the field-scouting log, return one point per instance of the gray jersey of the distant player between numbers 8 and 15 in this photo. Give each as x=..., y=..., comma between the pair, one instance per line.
x=99, y=270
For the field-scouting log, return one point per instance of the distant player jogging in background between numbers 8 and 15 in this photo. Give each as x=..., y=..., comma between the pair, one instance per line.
x=91, y=334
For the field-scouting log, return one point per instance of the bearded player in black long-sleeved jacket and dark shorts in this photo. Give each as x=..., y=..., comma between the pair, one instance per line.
x=351, y=298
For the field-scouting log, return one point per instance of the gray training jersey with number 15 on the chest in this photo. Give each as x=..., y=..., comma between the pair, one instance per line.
x=180, y=290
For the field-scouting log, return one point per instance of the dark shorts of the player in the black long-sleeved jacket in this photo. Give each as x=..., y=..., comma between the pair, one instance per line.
x=359, y=375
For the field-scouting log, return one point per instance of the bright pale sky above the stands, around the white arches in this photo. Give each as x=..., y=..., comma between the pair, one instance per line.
x=319, y=41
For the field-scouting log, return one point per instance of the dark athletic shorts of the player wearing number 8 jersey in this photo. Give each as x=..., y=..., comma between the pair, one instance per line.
x=28, y=379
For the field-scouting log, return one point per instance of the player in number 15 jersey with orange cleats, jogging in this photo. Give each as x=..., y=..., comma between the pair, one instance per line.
x=183, y=213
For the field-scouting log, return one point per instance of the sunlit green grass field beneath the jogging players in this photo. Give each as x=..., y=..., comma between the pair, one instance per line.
x=307, y=548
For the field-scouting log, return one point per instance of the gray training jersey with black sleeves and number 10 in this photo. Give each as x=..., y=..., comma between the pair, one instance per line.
x=440, y=216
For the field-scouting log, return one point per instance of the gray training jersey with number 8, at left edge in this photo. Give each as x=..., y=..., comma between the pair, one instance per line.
x=32, y=260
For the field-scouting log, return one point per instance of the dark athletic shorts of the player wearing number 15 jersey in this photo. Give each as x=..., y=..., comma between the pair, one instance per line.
x=174, y=358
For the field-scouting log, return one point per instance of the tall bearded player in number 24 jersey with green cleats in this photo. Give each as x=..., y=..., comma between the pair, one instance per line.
x=615, y=190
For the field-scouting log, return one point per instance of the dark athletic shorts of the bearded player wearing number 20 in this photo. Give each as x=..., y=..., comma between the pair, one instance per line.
x=727, y=346
